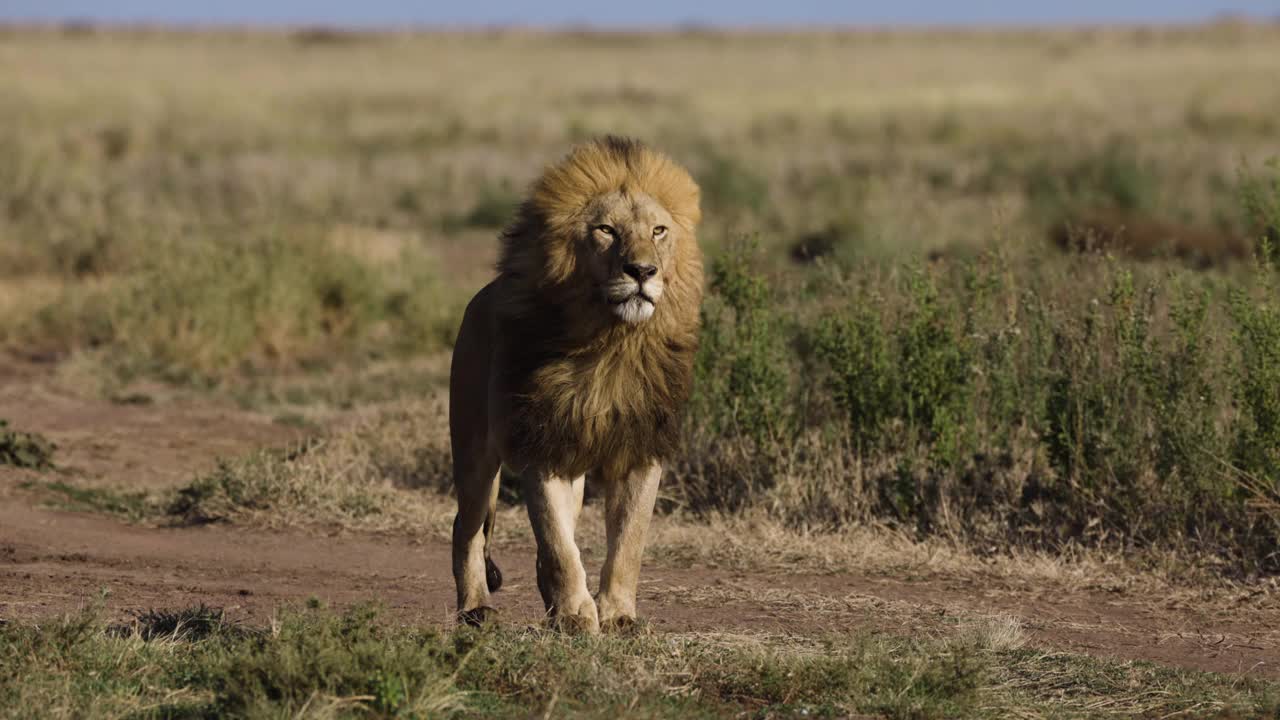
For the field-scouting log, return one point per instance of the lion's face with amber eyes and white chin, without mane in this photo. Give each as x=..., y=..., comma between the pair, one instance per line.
x=629, y=240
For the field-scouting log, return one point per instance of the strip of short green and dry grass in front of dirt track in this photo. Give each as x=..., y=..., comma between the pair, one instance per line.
x=317, y=664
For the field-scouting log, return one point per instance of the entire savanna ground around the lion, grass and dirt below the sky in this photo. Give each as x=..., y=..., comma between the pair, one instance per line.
x=986, y=309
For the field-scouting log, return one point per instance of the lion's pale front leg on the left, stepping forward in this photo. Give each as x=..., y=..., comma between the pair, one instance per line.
x=554, y=508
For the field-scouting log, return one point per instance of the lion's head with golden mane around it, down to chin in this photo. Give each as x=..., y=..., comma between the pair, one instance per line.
x=610, y=230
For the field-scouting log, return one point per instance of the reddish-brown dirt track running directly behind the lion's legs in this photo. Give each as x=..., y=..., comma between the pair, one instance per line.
x=52, y=563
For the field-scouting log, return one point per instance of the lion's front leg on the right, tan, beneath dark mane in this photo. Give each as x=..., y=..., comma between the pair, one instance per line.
x=629, y=503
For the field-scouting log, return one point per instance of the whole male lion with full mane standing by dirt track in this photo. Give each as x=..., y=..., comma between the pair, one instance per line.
x=578, y=358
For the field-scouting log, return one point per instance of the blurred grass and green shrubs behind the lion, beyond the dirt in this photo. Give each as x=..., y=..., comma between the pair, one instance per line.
x=1009, y=288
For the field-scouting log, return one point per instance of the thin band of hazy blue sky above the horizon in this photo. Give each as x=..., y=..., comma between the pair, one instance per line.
x=630, y=12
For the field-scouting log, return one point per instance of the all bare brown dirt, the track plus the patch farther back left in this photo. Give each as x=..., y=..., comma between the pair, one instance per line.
x=53, y=562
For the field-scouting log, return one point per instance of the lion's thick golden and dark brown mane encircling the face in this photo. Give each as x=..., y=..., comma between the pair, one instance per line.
x=584, y=389
